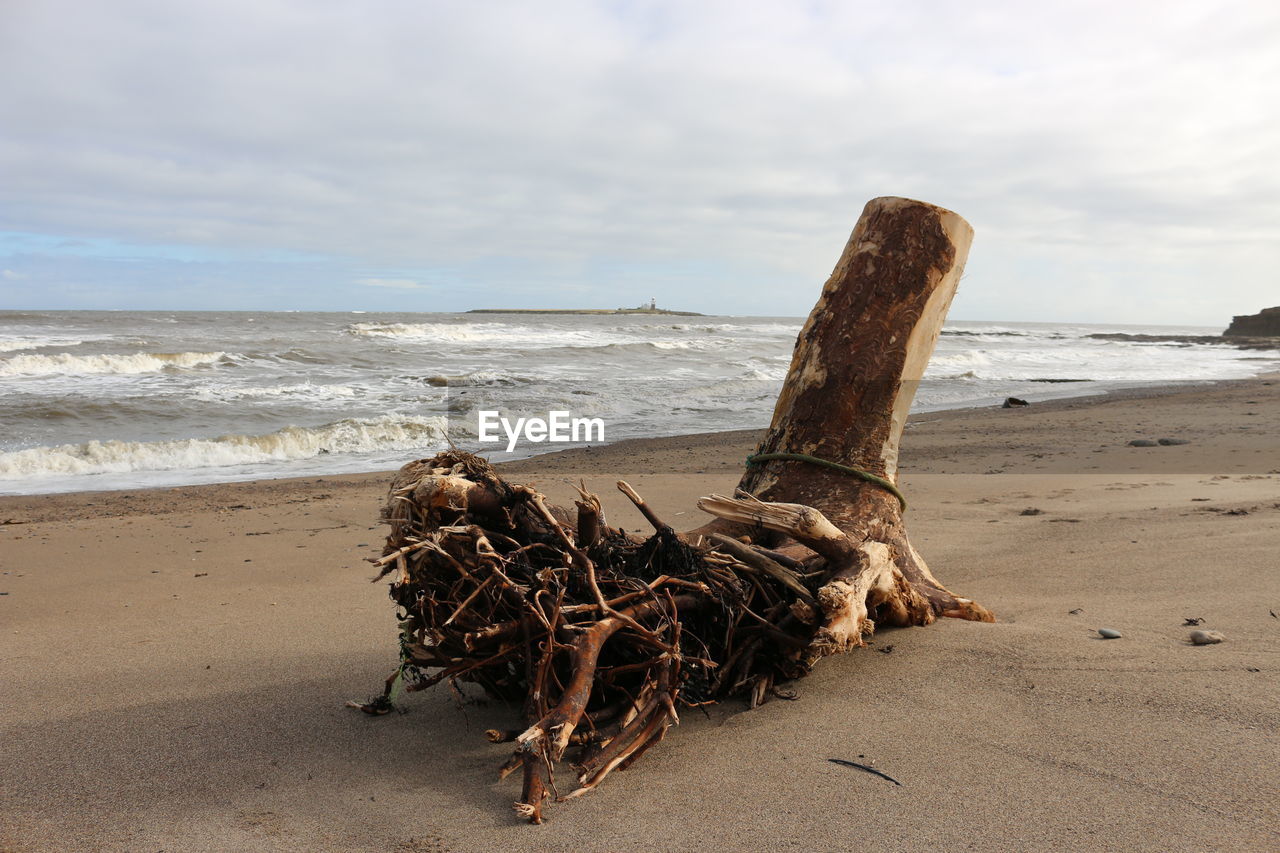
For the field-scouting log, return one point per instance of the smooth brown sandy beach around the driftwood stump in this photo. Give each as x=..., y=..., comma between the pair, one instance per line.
x=175, y=663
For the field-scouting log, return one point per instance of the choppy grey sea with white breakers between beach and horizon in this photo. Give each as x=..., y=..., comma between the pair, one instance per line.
x=112, y=400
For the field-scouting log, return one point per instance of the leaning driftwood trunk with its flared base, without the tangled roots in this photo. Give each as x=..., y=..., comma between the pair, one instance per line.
x=857, y=366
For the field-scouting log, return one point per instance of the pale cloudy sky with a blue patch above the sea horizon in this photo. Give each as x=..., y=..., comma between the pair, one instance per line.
x=1121, y=162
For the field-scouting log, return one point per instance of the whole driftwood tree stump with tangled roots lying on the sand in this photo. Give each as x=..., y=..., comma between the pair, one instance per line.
x=604, y=637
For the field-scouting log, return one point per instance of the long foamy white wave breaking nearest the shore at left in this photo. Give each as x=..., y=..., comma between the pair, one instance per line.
x=349, y=436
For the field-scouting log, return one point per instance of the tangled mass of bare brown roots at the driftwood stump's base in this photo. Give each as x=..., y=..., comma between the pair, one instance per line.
x=604, y=636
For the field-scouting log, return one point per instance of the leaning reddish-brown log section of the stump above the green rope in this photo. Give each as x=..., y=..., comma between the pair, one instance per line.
x=863, y=350
